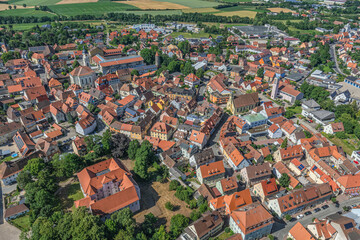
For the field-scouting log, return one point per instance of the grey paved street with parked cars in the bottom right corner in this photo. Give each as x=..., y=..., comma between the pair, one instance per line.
x=281, y=230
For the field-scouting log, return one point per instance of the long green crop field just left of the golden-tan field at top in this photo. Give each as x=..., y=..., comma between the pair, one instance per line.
x=97, y=8
